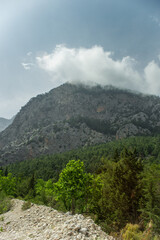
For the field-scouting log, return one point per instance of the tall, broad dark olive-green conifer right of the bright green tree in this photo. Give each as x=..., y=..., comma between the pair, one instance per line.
x=122, y=189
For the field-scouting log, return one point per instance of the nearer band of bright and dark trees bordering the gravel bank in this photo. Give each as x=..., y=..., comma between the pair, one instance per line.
x=122, y=194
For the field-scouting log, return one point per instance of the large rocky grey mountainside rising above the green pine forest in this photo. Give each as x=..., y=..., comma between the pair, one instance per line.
x=73, y=116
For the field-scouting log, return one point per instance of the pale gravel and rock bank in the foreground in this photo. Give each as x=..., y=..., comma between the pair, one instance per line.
x=44, y=223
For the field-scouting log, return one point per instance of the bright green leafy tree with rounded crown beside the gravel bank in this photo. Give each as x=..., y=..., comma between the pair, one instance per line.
x=72, y=184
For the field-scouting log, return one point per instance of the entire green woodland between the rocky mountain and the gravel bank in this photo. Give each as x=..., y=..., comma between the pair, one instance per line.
x=117, y=184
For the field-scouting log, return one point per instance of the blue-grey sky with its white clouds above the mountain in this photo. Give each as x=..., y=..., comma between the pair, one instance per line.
x=45, y=43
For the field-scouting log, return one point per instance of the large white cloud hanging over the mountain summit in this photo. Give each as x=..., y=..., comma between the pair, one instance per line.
x=95, y=66
